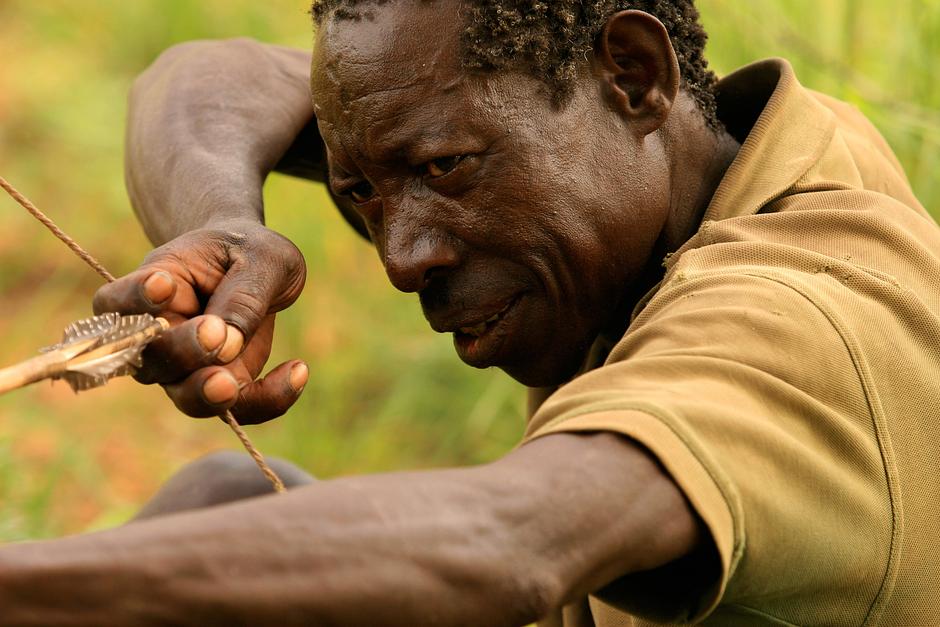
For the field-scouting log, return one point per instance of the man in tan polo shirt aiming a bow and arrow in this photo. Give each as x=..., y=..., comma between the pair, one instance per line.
x=741, y=435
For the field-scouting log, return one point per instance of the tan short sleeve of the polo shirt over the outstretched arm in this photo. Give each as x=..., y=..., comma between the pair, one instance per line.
x=743, y=388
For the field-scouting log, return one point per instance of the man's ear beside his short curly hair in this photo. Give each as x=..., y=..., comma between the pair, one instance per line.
x=639, y=65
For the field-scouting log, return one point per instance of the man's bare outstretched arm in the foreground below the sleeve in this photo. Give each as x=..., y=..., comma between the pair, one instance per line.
x=500, y=544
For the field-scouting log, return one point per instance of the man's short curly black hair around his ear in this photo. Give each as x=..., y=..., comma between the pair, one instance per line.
x=548, y=38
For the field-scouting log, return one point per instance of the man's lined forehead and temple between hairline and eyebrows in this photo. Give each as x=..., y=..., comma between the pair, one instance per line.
x=391, y=85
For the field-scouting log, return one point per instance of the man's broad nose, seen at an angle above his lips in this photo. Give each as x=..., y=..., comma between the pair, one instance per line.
x=415, y=254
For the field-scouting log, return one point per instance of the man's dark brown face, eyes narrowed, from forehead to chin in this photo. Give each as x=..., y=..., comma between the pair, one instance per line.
x=520, y=225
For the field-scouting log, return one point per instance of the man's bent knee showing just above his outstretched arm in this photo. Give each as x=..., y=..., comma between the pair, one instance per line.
x=218, y=478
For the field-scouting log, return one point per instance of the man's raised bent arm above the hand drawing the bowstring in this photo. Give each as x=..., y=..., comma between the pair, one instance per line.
x=207, y=122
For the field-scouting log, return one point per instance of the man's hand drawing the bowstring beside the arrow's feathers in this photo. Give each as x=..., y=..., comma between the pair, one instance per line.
x=236, y=272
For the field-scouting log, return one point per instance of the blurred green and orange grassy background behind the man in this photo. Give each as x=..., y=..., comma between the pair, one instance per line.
x=385, y=392
